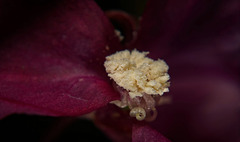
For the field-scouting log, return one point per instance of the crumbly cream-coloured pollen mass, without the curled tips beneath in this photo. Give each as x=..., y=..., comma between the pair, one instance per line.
x=137, y=73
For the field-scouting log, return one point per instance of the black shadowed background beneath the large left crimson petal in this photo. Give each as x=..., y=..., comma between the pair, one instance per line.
x=33, y=128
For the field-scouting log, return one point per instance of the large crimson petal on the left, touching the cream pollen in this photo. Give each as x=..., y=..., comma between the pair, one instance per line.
x=54, y=66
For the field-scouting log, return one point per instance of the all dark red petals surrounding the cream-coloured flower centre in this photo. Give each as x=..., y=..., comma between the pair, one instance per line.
x=52, y=64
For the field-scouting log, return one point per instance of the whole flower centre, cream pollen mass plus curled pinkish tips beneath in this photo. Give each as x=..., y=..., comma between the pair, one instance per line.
x=140, y=80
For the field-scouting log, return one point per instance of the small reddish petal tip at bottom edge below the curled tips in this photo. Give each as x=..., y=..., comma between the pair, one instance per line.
x=144, y=133
